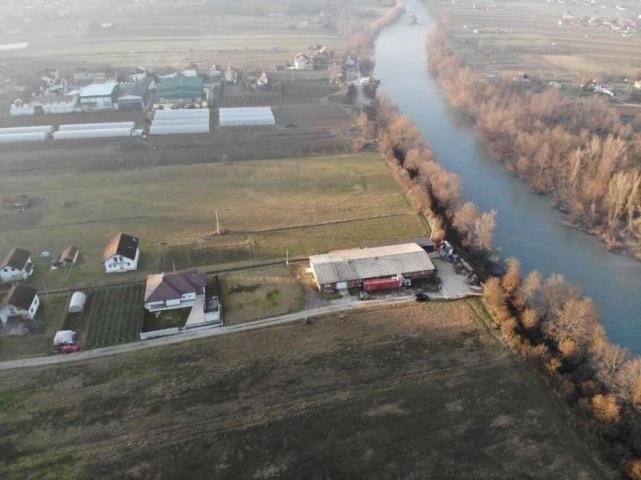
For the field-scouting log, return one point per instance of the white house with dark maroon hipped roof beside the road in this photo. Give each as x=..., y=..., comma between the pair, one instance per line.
x=168, y=291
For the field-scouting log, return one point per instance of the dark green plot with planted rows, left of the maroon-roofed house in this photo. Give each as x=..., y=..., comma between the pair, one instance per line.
x=112, y=315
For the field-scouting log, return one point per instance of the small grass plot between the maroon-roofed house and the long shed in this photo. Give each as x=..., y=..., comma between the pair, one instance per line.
x=260, y=293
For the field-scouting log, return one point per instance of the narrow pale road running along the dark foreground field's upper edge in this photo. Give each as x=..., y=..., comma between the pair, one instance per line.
x=197, y=333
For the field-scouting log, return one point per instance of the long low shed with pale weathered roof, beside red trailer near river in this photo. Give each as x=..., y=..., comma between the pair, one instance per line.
x=349, y=268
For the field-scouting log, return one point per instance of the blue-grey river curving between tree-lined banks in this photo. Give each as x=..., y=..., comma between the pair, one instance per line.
x=529, y=228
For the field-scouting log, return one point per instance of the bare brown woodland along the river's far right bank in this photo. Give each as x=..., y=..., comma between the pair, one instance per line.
x=577, y=150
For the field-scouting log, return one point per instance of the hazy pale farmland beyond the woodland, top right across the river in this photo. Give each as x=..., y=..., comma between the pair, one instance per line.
x=510, y=38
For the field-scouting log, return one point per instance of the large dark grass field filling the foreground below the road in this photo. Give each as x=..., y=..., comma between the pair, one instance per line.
x=418, y=391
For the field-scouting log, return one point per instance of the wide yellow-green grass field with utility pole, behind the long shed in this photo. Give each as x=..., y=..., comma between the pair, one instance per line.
x=265, y=207
